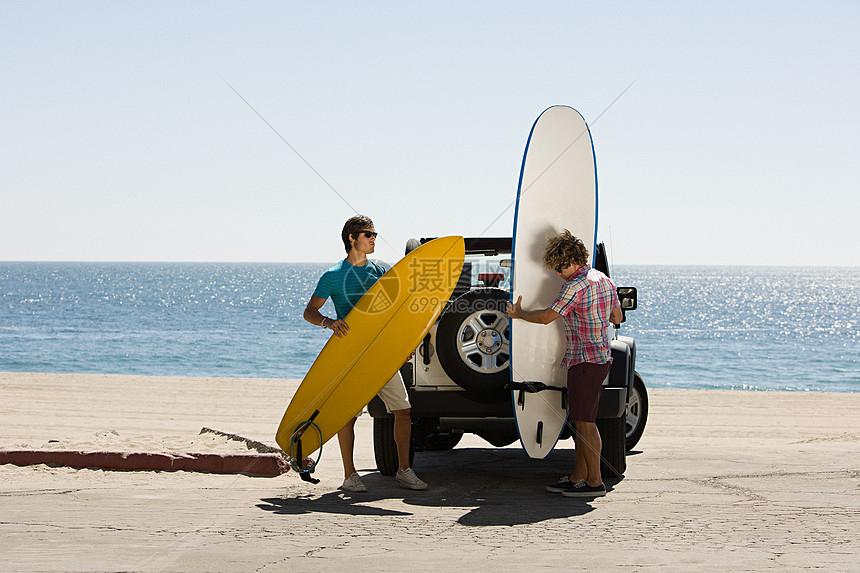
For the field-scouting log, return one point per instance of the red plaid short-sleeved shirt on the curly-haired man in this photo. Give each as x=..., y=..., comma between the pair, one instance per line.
x=585, y=302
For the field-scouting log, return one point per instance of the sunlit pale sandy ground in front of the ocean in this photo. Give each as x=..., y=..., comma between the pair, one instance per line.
x=741, y=481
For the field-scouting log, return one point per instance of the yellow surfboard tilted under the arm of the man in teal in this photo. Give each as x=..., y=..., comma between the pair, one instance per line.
x=385, y=327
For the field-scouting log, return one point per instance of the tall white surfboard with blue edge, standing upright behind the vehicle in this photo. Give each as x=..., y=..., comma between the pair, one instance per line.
x=557, y=191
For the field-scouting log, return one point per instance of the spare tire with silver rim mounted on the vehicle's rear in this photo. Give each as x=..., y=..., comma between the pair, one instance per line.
x=473, y=340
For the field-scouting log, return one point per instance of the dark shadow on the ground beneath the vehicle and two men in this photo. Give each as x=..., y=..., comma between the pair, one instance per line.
x=502, y=486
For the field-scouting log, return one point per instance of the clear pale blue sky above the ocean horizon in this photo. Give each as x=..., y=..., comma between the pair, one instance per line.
x=120, y=140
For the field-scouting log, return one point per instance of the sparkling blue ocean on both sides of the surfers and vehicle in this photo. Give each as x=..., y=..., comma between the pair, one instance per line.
x=755, y=328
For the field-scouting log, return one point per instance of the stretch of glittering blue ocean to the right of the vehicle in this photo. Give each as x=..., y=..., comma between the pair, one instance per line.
x=756, y=328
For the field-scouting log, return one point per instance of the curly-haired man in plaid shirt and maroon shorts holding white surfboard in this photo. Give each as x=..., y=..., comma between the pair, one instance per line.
x=588, y=302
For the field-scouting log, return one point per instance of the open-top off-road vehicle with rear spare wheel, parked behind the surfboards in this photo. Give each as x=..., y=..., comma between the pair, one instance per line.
x=458, y=378
